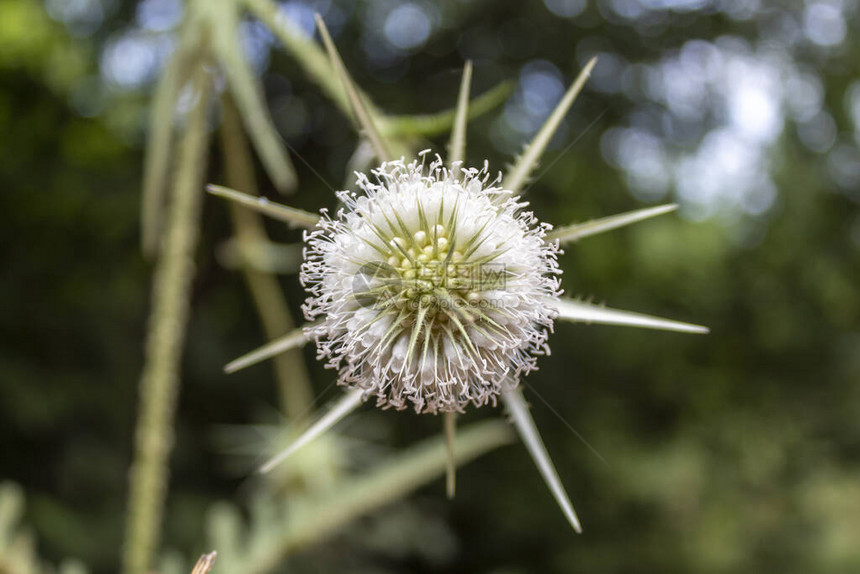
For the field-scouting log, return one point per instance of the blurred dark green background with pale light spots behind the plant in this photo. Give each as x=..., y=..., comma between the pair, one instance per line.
x=735, y=452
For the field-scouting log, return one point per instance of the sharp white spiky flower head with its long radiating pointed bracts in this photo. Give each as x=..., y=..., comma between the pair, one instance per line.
x=434, y=287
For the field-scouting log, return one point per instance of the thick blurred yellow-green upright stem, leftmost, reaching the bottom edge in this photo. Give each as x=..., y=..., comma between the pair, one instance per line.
x=160, y=380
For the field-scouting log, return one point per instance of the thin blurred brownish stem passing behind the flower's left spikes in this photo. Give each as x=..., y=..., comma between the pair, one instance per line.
x=290, y=370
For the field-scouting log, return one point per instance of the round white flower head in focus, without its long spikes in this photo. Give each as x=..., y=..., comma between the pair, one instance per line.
x=434, y=288
